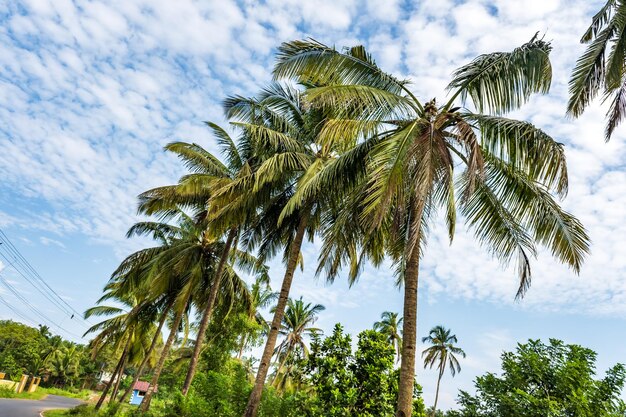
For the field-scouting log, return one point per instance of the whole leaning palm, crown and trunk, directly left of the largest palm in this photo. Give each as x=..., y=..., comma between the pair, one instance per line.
x=284, y=131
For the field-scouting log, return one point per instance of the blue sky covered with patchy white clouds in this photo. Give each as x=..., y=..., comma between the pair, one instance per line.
x=90, y=92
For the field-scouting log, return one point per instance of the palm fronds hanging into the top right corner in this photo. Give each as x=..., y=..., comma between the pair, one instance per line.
x=601, y=66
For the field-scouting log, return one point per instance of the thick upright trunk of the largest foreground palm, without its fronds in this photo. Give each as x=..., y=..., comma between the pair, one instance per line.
x=409, y=341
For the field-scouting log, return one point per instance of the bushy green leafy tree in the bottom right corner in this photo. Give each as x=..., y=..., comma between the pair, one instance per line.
x=541, y=380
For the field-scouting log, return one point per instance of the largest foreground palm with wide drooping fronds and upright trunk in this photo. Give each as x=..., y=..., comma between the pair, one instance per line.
x=413, y=158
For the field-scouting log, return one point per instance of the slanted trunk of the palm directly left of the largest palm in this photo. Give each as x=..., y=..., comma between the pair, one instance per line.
x=294, y=254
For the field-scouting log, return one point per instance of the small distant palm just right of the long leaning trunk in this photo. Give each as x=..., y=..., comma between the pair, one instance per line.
x=296, y=325
